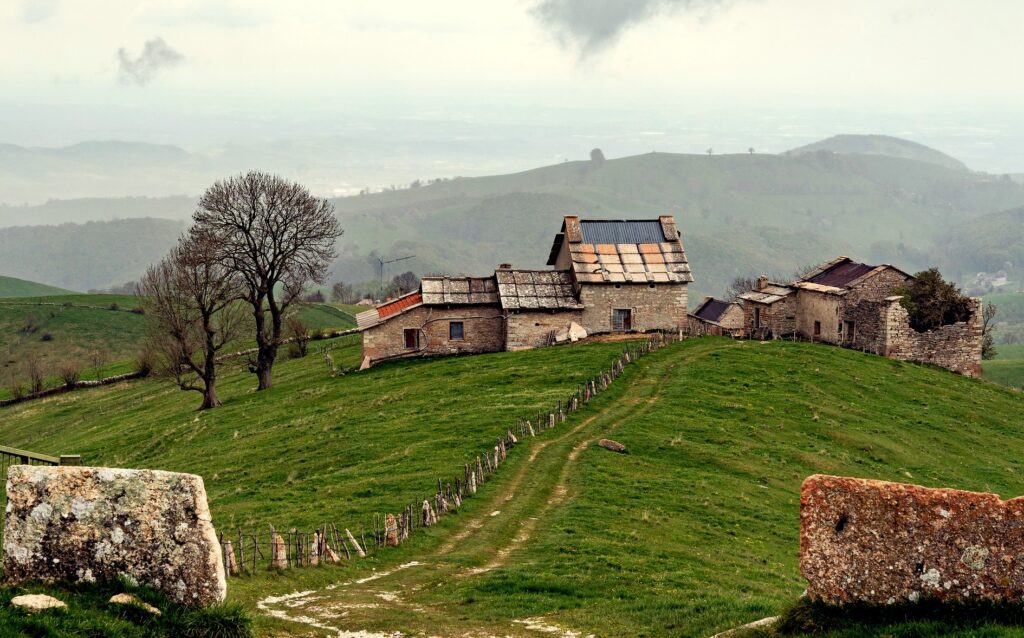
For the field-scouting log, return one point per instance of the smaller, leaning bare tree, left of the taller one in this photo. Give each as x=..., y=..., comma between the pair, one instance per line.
x=193, y=303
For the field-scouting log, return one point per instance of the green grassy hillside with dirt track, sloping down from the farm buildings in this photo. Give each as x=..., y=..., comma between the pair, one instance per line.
x=694, y=532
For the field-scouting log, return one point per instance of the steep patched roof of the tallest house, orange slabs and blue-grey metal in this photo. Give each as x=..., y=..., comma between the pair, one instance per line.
x=623, y=251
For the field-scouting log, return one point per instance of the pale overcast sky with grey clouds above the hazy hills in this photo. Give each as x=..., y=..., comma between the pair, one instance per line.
x=169, y=62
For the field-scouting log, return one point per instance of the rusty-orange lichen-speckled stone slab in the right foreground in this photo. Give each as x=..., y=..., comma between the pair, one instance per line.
x=879, y=542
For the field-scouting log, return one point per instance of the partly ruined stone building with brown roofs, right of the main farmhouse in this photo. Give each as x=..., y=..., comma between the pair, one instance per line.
x=847, y=304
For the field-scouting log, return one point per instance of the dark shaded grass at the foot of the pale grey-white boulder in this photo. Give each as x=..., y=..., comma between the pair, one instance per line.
x=91, y=614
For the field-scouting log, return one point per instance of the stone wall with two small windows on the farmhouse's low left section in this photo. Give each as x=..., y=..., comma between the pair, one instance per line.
x=484, y=331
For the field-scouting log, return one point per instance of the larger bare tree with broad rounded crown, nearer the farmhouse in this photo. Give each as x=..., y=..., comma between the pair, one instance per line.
x=278, y=238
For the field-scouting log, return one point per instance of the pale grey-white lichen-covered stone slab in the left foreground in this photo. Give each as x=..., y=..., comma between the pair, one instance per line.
x=88, y=524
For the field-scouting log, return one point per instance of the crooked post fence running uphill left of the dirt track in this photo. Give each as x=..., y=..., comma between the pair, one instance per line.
x=330, y=544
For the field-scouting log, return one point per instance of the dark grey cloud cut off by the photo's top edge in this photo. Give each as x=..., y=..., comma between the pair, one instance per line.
x=592, y=26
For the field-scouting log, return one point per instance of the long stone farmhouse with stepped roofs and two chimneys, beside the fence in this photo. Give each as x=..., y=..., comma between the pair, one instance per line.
x=607, y=277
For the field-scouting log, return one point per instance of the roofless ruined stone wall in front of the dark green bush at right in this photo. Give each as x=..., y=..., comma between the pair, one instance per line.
x=956, y=348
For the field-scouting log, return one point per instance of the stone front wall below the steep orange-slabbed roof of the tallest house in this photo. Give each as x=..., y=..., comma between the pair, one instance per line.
x=655, y=307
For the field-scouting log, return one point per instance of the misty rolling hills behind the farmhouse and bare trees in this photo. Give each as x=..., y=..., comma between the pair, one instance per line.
x=740, y=215
